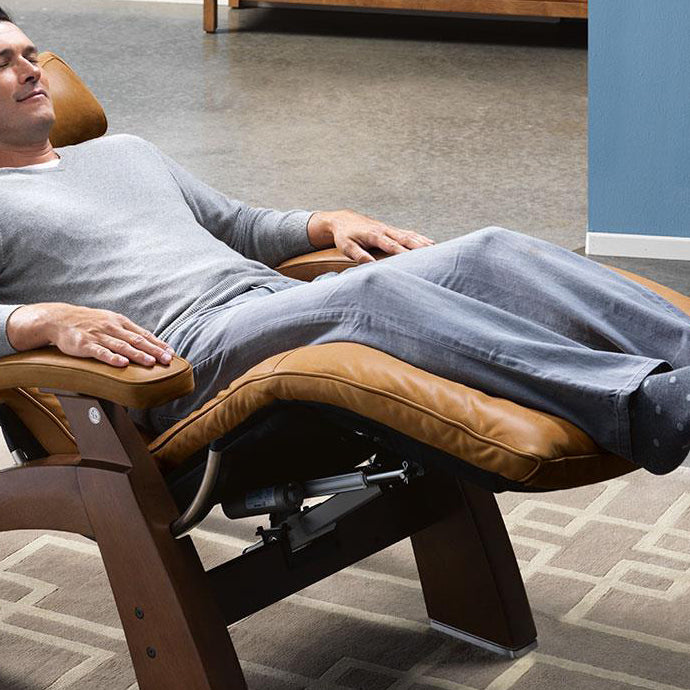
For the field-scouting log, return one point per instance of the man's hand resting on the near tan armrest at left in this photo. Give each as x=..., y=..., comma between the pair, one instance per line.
x=85, y=332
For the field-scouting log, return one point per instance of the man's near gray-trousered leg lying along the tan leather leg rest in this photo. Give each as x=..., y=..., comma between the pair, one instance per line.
x=430, y=326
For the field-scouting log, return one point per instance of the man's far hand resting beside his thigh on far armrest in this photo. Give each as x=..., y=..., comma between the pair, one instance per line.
x=353, y=232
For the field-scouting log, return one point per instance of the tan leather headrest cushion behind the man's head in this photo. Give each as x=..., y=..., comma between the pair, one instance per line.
x=78, y=115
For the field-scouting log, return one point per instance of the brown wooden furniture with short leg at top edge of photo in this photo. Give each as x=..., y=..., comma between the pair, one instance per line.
x=537, y=8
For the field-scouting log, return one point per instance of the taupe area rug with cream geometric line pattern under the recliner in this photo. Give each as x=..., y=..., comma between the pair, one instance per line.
x=607, y=571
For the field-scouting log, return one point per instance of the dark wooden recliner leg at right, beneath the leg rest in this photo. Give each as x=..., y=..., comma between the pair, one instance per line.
x=472, y=585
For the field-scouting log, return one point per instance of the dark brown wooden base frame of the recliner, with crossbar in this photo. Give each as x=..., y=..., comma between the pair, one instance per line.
x=175, y=614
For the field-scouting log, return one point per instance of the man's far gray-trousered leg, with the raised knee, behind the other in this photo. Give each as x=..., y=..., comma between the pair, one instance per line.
x=556, y=288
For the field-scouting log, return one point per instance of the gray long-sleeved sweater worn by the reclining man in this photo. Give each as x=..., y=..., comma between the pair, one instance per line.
x=118, y=225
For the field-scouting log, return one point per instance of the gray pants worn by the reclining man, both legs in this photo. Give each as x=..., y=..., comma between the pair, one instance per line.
x=505, y=313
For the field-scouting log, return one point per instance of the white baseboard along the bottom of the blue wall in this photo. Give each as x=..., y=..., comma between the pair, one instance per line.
x=638, y=246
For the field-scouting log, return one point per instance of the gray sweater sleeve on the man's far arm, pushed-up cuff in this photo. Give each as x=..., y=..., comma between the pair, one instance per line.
x=262, y=234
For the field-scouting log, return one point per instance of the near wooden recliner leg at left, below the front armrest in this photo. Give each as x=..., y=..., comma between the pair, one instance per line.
x=174, y=628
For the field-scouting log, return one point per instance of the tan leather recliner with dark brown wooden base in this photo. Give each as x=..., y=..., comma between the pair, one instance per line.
x=393, y=450
